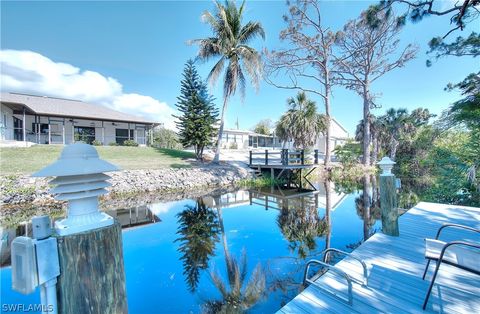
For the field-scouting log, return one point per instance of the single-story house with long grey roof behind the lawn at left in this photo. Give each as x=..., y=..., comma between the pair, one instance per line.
x=50, y=120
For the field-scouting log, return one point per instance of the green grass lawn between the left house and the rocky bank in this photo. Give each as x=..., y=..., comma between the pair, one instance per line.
x=29, y=160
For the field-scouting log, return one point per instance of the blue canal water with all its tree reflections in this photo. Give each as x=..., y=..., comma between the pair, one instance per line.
x=234, y=252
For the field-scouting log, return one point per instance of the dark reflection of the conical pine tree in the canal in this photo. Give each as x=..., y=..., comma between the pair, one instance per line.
x=198, y=228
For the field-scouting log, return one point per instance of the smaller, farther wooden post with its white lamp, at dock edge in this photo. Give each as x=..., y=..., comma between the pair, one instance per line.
x=388, y=198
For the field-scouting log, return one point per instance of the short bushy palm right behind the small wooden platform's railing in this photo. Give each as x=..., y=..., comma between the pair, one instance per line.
x=301, y=123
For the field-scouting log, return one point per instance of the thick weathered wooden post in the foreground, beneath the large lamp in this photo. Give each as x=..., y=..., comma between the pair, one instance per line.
x=92, y=278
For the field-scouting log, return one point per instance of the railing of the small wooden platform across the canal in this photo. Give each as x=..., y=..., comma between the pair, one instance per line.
x=284, y=157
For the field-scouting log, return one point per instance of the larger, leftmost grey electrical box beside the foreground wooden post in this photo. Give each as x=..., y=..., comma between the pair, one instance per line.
x=24, y=265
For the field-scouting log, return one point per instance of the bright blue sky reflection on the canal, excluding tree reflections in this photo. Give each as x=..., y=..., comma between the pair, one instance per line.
x=154, y=271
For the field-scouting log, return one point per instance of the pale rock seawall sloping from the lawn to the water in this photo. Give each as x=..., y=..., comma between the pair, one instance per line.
x=25, y=189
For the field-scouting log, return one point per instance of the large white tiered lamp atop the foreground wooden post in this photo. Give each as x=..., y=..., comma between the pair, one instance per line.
x=79, y=180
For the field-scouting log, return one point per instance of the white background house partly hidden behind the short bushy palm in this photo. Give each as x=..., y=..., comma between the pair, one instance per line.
x=244, y=139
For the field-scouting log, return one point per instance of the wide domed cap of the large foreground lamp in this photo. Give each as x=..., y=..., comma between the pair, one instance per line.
x=76, y=159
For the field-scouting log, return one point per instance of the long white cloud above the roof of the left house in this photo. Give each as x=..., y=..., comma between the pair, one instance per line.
x=31, y=72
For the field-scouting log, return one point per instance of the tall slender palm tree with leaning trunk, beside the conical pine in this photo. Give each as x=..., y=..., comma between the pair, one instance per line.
x=230, y=43
